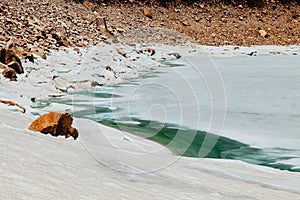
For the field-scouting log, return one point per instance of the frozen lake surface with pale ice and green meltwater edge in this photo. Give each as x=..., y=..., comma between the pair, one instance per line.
x=243, y=108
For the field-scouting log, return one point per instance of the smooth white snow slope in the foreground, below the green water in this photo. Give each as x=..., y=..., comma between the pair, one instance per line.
x=35, y=166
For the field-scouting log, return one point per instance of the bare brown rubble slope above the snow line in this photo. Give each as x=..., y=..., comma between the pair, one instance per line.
x=37, y=26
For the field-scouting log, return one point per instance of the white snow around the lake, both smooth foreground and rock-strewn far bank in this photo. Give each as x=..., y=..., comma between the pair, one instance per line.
x=119, y=166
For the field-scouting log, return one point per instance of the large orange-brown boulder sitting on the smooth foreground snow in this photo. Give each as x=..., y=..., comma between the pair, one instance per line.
x=56, y=124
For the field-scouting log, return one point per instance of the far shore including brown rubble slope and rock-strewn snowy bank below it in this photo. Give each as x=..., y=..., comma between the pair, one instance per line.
x=125, y=32
